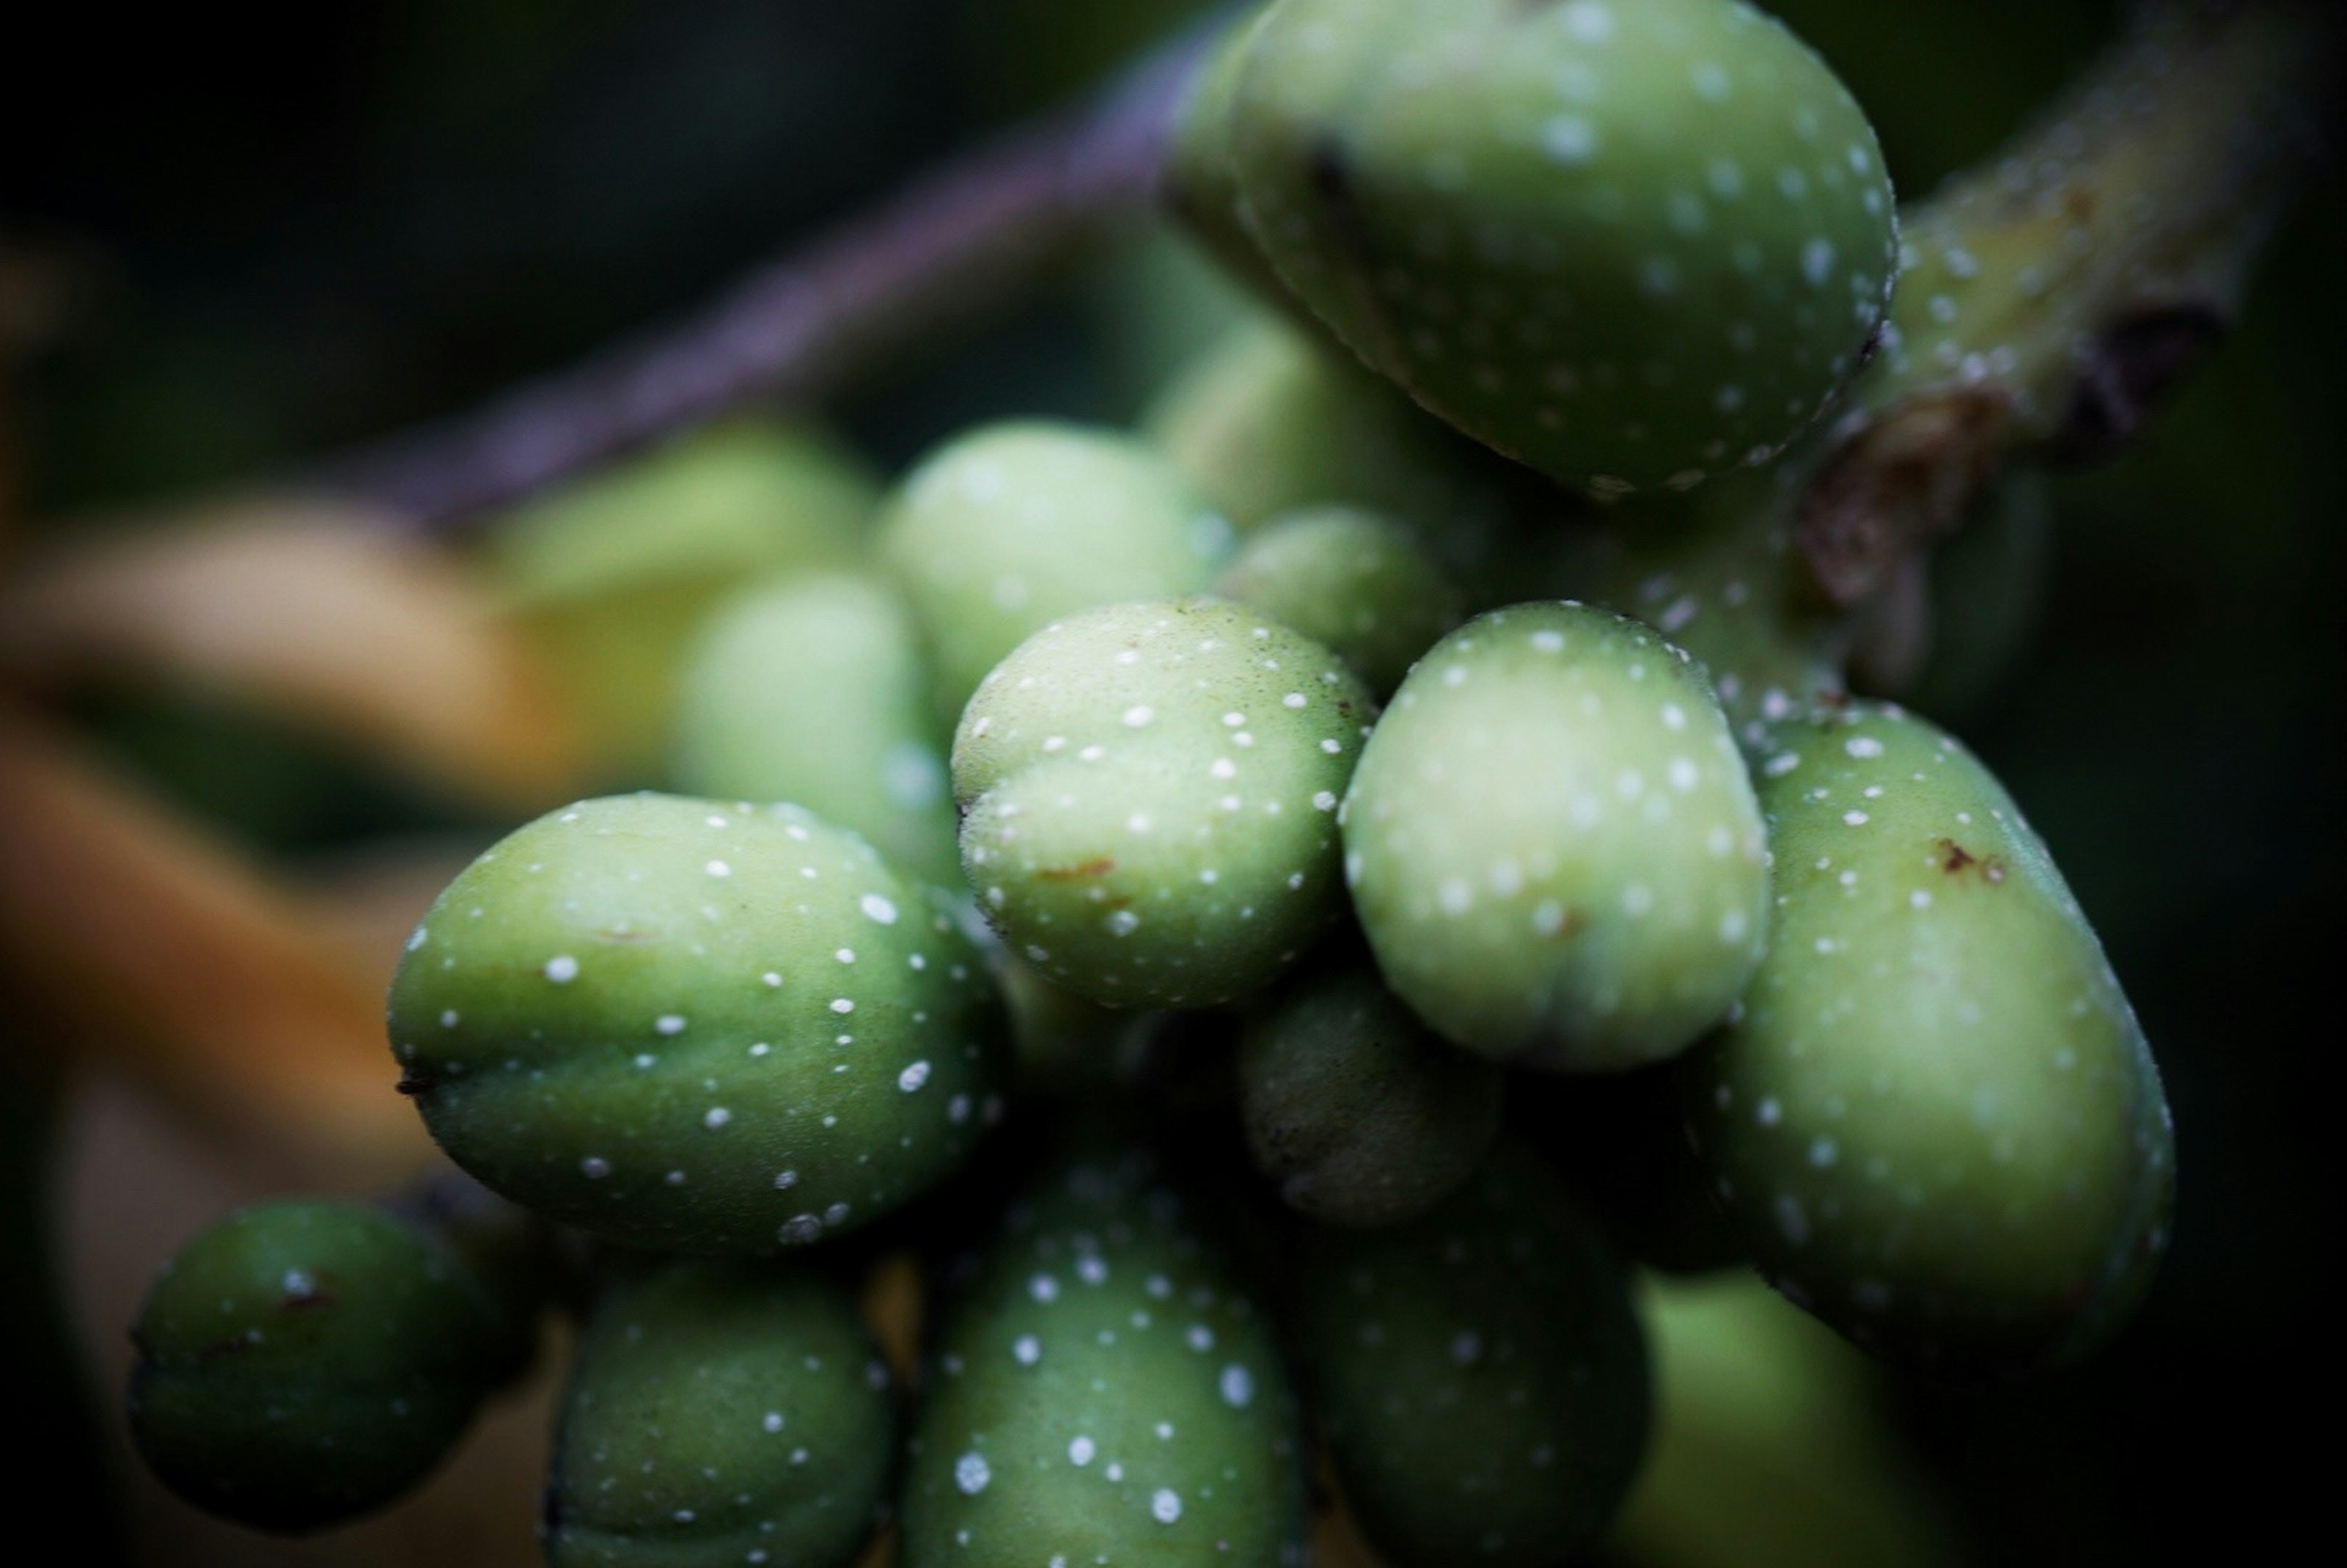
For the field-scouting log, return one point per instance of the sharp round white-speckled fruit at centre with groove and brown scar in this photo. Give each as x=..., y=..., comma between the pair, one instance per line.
x=1149, y=799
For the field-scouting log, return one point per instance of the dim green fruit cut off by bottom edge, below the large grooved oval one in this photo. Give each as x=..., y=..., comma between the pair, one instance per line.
x=722, y=1414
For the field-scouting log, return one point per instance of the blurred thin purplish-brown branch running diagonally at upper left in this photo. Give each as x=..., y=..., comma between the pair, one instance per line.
x=956, y=245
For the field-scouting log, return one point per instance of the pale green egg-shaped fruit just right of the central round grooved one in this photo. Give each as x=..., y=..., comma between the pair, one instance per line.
x=1553, y=844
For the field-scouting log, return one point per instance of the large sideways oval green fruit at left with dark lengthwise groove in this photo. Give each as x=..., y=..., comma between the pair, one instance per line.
x=630, y=1015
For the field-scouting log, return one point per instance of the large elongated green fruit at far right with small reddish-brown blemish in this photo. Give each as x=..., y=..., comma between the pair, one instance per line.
x=1935, y=1123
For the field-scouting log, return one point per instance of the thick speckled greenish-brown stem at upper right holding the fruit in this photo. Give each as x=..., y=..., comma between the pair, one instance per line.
x=2055, y=295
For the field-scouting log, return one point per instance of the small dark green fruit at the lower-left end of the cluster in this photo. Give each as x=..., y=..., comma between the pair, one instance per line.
x=309, y=1363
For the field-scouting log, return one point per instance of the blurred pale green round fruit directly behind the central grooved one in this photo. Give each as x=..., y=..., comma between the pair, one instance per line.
x=1013, y=527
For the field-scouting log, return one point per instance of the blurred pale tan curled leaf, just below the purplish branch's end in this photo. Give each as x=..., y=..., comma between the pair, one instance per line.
x=316, y=611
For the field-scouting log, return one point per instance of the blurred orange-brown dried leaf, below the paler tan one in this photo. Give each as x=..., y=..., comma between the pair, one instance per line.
x=140, y=942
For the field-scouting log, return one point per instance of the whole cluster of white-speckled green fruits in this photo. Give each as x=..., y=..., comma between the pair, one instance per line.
x=1301, y=834
